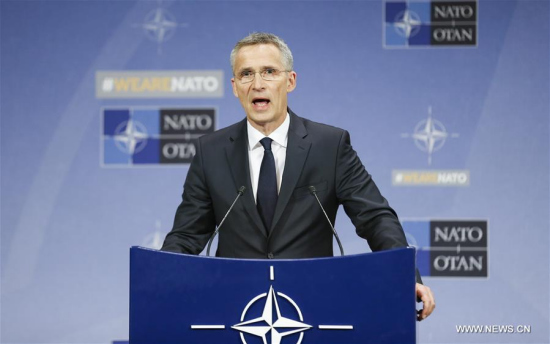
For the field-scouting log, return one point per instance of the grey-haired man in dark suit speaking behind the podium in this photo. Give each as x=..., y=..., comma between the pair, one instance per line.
x=278, y=156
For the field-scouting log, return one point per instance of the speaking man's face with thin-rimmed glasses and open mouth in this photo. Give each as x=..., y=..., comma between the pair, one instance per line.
x=265, y=102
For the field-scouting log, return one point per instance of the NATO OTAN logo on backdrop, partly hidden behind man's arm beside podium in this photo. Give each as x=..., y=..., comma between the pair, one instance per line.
x=449, y=248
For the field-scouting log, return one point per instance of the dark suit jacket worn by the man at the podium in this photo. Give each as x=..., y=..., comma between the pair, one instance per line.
x=318, y=155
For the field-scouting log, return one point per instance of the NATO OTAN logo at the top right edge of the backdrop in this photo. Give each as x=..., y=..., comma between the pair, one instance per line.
x=409, y=24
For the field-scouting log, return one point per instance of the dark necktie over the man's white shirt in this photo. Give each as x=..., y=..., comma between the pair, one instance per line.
x=266, y=198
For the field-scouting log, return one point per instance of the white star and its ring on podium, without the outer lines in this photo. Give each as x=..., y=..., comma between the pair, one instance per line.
x=272, y=324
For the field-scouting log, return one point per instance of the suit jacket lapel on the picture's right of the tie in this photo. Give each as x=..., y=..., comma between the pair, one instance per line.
x=296, y=153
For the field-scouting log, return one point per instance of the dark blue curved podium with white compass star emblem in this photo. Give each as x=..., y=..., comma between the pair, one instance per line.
x=184, y=299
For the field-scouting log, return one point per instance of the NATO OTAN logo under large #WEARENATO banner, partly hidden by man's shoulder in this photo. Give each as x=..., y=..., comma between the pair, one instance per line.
x=140, y=136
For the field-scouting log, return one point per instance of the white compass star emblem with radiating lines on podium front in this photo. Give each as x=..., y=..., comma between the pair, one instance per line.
x=272, y=325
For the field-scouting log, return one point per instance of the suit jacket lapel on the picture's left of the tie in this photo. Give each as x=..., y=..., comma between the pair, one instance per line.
x=237, y=158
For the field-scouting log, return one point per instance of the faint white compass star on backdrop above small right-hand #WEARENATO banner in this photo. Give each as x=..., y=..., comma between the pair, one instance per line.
x=429, y=135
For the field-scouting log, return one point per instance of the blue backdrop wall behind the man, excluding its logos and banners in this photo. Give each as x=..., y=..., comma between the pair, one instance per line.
x=68, y=220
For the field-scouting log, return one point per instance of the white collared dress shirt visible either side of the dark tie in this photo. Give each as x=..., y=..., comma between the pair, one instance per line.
x=256, y=152
